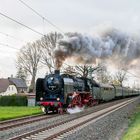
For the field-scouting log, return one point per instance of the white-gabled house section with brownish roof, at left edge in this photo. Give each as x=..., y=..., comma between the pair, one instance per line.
x=7, y=87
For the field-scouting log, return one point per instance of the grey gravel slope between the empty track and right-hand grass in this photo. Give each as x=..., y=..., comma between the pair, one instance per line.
x=110, y=127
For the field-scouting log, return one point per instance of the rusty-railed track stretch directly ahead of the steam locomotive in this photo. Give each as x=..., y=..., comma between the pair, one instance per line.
x=4, y=125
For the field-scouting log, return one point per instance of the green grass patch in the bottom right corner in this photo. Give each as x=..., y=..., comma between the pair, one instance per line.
x=133, y=132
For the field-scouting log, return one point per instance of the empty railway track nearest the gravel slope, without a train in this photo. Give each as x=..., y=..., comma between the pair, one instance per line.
x=65, y=127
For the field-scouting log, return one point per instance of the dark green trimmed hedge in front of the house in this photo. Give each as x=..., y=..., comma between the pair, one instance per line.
x=14, y=100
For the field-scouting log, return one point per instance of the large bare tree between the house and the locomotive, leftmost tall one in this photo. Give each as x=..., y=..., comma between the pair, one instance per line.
x=28, y=59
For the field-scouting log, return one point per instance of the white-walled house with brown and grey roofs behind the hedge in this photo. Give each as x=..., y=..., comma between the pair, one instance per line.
x=12, y=86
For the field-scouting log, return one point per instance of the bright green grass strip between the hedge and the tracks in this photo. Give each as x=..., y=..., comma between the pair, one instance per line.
x=15, y=112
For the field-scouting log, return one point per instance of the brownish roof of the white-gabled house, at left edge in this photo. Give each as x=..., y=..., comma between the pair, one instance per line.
x=4, y=83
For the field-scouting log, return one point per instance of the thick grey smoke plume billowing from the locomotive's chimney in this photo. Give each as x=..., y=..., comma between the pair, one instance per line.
x=86, y=49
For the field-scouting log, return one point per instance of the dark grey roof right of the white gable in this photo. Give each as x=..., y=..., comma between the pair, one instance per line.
x=19, y=83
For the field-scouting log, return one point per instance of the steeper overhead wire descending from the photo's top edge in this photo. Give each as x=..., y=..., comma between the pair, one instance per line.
x=44, y=18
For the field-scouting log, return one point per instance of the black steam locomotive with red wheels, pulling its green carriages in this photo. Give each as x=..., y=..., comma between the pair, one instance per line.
x=57, y=92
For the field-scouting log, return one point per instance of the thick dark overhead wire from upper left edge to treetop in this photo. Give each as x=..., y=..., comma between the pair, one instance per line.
x=20, y=23
